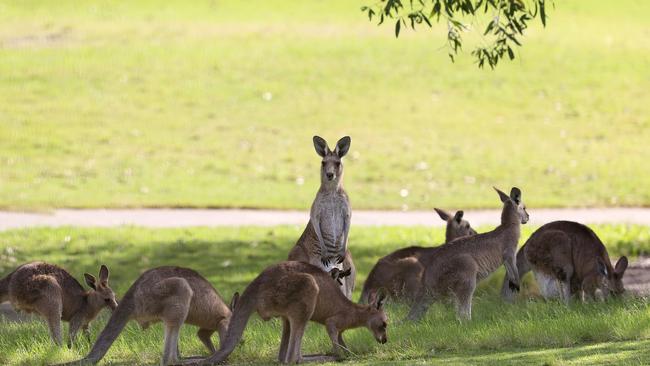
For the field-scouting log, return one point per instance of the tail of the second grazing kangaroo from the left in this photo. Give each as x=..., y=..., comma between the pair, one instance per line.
x=113, y=328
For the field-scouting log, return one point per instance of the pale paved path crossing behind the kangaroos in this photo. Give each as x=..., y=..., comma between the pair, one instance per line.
x=235, y=217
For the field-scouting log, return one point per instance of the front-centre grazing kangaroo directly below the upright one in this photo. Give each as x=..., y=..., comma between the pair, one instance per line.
x=298, y=292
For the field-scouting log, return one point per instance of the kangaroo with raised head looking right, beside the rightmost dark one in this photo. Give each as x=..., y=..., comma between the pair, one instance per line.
x=455, y=269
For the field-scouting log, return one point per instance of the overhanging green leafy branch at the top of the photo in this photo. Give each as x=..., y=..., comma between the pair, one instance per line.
x=509, y=20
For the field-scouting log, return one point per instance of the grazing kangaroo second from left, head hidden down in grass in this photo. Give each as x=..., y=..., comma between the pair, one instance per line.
x=173, y=295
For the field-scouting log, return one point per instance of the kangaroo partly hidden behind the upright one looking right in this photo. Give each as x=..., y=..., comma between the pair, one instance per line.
x=400, y=272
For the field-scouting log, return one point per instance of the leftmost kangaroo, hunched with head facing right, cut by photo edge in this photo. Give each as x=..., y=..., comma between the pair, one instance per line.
x=53, y=293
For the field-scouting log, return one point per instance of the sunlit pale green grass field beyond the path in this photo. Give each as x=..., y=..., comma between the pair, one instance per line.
x=214, y=103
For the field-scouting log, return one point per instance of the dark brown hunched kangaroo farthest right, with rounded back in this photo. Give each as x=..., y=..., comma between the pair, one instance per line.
x=568, y=258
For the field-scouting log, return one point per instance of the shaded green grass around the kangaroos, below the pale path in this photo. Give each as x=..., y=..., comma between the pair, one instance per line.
x=528, y=332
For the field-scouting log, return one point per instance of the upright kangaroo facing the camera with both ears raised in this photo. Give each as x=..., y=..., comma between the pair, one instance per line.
x=324, y=241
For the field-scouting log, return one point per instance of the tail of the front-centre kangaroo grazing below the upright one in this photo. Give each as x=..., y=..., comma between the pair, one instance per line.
x=243, y=310
